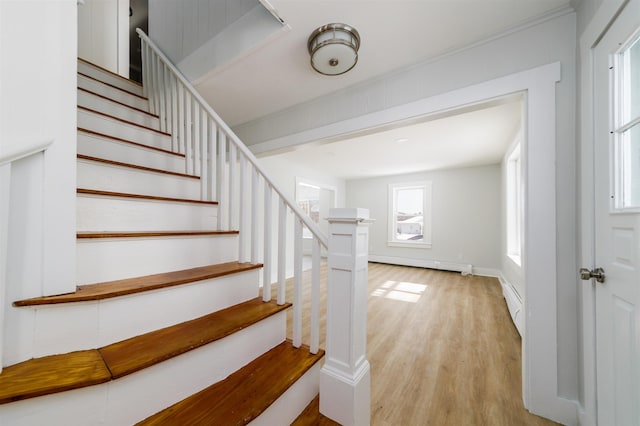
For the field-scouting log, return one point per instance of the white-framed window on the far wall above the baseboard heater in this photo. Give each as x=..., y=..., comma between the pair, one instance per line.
x=410, y=215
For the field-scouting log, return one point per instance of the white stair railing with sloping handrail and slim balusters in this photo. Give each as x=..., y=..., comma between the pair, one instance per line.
x=232, y=175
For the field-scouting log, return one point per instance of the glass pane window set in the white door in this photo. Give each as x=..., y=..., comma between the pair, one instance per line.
x=626, y=126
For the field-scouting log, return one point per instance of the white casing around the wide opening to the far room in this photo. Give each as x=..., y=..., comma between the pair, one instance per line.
x=540, y=344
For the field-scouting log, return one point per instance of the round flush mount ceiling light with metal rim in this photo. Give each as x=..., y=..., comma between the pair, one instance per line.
x=334, y=48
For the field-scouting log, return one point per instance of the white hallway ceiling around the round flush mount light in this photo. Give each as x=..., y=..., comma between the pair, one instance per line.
x=394, y=33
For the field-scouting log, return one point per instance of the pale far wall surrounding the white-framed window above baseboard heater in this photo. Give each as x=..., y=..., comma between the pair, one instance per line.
x=465, y=224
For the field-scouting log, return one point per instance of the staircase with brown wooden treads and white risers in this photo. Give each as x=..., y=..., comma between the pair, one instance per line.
x=167, y=325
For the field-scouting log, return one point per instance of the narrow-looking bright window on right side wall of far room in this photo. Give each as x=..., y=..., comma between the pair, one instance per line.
x=514, y=206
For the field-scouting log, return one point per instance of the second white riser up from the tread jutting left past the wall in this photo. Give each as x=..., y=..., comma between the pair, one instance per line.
x=100, y=213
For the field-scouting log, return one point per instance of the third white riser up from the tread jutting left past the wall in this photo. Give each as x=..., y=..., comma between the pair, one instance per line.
x=106, y=177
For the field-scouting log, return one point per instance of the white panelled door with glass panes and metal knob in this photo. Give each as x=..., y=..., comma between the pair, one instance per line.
x=617, y=212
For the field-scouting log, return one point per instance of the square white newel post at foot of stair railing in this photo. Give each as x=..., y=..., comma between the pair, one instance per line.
x=345, y=378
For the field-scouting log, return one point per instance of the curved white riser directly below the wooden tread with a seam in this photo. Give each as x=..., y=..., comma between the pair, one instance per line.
x=135, y=397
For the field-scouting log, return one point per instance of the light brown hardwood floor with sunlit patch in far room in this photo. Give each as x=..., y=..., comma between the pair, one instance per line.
x=443, y=350
